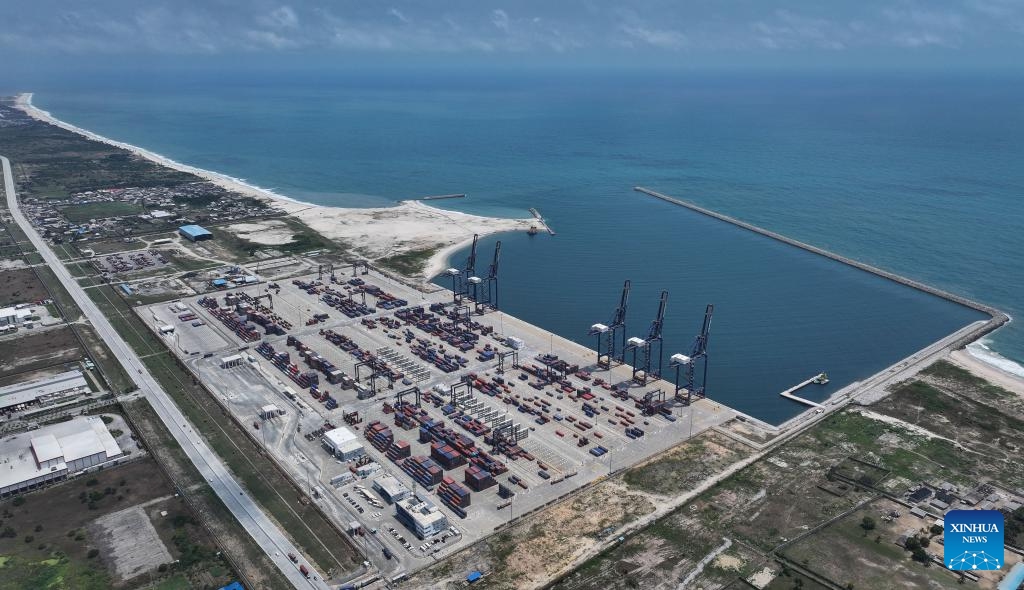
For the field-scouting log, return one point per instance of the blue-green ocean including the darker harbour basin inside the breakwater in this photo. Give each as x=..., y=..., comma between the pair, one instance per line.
x=922, y=176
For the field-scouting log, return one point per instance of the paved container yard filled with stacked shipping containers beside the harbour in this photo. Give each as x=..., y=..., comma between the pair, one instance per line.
x=385, y=394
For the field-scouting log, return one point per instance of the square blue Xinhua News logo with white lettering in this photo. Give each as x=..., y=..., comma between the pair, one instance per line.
x=973, y=540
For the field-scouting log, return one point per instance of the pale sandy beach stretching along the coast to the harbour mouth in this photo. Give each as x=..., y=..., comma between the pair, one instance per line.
x=375, y=234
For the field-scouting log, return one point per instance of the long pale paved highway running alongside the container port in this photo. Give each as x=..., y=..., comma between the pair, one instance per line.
x=265, y=532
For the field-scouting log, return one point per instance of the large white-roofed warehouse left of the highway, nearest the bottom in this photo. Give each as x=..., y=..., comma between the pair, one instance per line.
x=34, y=458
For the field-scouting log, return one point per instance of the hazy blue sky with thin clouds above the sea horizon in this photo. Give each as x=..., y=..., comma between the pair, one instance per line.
x=681, y=33
